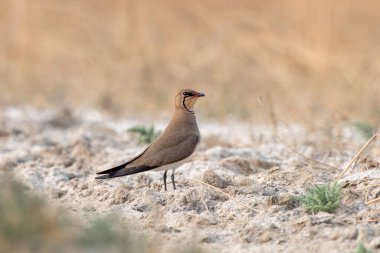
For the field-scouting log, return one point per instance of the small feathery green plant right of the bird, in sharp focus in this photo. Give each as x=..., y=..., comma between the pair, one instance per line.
x=321, y=198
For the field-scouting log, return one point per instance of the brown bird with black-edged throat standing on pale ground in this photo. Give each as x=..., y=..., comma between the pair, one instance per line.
x=172, y=148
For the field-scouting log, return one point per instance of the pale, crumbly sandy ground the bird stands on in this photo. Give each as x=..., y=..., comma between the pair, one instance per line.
x=57, y=153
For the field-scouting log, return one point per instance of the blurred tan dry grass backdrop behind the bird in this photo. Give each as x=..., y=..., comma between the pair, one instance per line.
x=309, y=57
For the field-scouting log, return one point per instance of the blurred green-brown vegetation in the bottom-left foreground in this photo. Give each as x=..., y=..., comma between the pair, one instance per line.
x=29, y=224
